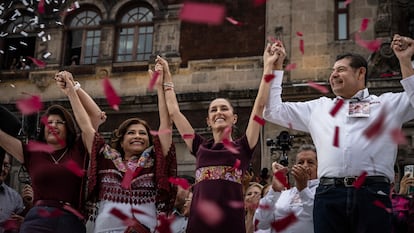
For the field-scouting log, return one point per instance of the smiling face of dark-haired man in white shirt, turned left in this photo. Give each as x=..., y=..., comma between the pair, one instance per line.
x=346, y=81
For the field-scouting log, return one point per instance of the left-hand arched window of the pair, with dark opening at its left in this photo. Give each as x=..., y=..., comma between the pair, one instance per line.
x=83, y=38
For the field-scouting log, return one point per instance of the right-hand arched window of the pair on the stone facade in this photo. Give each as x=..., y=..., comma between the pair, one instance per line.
x=135, y=35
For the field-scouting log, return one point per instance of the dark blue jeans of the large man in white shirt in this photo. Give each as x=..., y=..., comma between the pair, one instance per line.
x=339, y=209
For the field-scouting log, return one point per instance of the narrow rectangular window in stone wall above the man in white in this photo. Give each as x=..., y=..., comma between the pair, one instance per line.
x=341, y=20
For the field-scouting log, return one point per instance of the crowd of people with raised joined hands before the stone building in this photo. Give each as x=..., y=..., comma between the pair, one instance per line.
x=344, y=186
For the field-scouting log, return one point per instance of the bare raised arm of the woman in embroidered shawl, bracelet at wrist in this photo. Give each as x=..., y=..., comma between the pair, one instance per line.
x=165, y=127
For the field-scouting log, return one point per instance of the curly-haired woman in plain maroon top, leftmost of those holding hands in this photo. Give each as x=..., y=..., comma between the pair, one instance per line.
x=58, y=192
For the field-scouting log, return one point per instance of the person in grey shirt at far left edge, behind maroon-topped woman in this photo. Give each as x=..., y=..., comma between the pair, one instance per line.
x=11, y=203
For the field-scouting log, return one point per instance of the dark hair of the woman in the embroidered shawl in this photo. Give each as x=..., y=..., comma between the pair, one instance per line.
x=118, y=134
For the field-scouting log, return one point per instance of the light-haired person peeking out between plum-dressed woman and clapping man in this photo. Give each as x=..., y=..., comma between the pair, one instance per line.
x=251, y=202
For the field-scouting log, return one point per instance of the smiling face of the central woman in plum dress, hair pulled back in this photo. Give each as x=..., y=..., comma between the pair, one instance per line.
x=220, y=115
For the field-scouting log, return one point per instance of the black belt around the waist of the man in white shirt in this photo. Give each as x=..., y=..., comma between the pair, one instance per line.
x=349, y=181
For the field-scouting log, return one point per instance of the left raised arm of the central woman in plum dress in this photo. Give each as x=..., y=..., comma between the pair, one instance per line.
x=183, y=126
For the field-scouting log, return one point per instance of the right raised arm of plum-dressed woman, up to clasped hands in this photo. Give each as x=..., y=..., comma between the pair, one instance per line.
x=273, y=57
